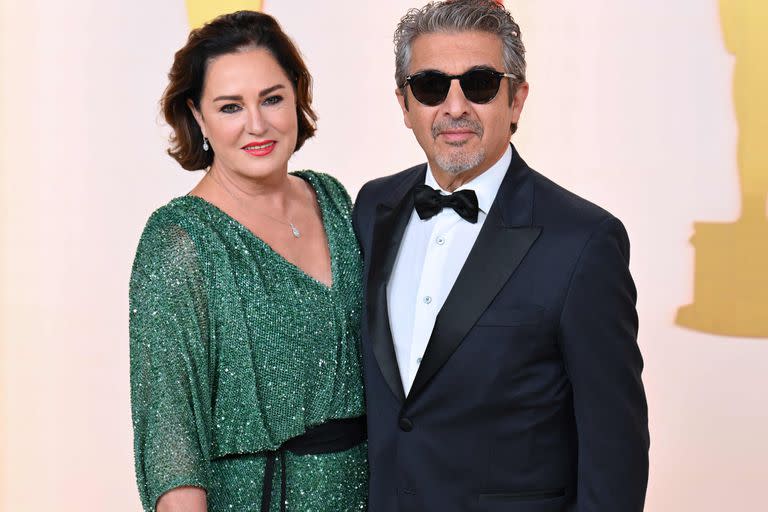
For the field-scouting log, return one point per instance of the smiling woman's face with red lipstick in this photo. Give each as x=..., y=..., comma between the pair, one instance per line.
x=248, y=112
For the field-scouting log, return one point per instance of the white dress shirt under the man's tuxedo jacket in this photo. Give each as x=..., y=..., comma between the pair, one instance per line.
x=428, y=262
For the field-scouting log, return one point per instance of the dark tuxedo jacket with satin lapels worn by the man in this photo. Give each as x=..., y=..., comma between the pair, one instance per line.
x=529, y=396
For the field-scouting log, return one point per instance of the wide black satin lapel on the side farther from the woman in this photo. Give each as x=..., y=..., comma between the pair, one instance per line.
x=498, y=250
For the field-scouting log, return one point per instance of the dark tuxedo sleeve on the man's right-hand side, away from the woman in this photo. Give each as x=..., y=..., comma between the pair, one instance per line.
x=598, y=335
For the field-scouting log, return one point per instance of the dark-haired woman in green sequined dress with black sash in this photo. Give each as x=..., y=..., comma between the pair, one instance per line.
x=245, y=296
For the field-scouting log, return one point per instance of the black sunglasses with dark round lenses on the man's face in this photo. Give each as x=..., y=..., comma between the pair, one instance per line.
x=479, y=85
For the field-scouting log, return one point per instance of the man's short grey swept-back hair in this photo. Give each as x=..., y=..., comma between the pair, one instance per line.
x=461, y=16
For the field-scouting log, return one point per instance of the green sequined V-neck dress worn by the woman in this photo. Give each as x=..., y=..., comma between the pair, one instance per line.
x=234, y=350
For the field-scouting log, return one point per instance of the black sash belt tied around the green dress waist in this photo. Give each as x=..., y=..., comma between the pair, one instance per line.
x=333, y=436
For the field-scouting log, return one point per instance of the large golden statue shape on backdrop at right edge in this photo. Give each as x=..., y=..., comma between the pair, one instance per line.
x=731, y=266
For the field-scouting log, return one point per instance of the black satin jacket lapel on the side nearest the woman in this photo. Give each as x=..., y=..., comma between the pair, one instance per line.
x=391, y=221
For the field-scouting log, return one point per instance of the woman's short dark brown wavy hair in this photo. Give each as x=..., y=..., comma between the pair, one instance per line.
x=229, y=33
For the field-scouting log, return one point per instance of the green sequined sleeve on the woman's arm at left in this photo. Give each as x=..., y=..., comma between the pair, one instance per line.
x=170, y=383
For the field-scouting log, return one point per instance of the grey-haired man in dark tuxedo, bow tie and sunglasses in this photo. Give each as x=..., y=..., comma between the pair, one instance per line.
x=501, y=363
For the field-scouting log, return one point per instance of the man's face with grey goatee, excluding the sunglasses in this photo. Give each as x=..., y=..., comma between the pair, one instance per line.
x=459, y=136
